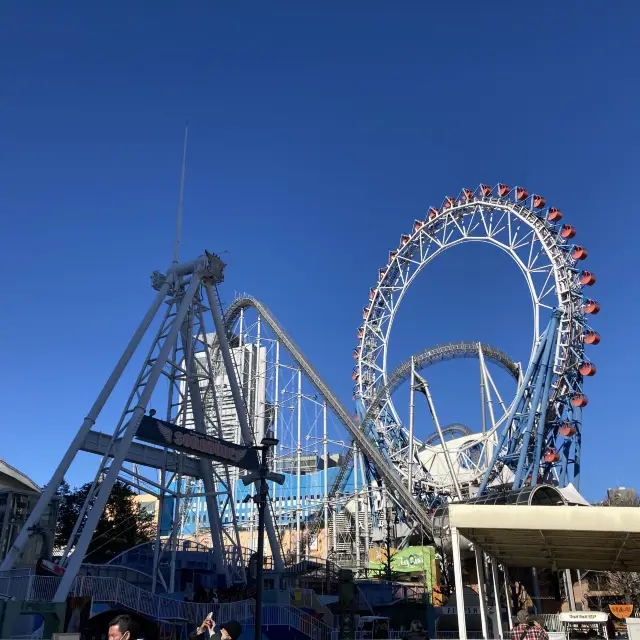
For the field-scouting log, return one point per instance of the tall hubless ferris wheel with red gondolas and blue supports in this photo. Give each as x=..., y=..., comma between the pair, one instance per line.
x=538, y=436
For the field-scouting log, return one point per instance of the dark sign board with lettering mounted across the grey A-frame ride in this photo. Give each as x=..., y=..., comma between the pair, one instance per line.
x=203, y=446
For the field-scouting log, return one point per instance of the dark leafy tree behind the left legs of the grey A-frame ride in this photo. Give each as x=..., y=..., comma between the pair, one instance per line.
x=123, y=524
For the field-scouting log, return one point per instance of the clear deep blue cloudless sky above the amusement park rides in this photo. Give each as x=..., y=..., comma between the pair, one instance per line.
x=318, y=132
